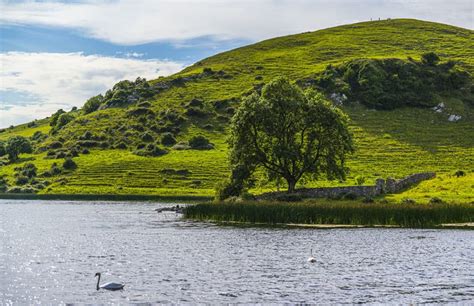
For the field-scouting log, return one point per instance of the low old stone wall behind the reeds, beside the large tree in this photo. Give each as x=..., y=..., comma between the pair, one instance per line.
x=381, y=186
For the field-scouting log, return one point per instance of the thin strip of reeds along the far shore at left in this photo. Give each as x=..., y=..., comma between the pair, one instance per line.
x=102, y=197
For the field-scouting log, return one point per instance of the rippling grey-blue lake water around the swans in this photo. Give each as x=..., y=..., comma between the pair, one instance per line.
x=50, y=251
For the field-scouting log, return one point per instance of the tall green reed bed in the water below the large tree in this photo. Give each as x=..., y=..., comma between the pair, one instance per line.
x=353, y=213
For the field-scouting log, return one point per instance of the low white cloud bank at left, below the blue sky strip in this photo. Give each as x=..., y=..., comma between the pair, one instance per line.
x=64, y=80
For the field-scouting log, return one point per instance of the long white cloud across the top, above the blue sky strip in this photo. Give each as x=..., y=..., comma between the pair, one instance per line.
x=132, y=22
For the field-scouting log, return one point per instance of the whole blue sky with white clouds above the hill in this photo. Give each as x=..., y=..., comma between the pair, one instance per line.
x=56, y=54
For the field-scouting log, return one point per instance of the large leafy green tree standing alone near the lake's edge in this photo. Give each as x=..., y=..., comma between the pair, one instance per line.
x=290, y=134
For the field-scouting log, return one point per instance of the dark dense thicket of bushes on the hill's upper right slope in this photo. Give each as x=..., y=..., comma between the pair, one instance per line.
x=393, y=83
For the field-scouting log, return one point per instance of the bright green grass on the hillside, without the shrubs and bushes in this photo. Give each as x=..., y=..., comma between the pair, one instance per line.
x=389, y=143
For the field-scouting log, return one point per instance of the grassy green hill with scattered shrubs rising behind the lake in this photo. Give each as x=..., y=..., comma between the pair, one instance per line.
x=123, y=136
